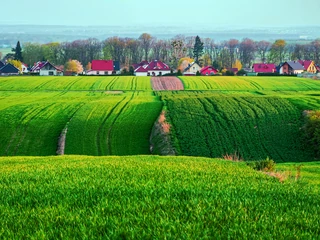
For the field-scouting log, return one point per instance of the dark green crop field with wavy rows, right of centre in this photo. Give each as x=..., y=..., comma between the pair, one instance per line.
x=253, y=127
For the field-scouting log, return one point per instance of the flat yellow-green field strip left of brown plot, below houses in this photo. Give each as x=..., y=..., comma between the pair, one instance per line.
x=99, y=83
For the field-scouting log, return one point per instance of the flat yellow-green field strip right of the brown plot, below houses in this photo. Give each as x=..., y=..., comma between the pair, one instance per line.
x=223, y=83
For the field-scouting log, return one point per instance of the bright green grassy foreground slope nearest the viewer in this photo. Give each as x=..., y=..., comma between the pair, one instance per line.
x=150, y=197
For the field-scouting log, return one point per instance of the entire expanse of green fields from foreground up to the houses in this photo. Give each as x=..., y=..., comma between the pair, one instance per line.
x=153, y=197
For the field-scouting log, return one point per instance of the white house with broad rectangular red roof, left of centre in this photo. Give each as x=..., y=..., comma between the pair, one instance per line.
x=104, y=67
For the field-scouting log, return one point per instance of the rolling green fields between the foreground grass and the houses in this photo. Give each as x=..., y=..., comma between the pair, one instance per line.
x=254, y=117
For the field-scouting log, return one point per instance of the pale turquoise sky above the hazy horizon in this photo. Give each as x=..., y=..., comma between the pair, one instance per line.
x=241, y=13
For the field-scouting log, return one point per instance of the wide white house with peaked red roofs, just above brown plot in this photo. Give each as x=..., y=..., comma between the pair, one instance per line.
x=153, y=68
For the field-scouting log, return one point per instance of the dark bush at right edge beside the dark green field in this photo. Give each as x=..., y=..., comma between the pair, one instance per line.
x=312, y=130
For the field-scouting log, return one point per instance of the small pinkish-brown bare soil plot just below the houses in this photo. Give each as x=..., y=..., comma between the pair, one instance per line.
x=166, y=83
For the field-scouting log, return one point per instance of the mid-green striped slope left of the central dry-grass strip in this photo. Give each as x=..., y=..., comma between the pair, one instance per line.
x=98, y=123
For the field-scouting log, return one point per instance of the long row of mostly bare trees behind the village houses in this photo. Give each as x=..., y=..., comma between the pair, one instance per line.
x=127, y=51
